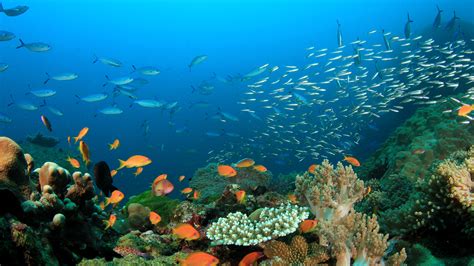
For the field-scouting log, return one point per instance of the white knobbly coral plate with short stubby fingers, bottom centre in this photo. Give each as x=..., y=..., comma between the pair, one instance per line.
x=266, y=224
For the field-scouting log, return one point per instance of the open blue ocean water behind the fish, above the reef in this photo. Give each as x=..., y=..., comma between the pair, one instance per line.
x=237, y=37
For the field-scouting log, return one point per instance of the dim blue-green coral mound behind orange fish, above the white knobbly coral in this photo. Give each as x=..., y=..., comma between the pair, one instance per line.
x=247, y=178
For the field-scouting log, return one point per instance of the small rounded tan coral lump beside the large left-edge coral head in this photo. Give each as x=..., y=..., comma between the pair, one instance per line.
x=55, y=176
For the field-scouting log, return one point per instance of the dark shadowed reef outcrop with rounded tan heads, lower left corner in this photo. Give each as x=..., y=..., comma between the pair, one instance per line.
x=45, y=227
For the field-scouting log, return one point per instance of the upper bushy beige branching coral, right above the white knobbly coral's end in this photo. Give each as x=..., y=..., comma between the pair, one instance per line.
x=330, y=193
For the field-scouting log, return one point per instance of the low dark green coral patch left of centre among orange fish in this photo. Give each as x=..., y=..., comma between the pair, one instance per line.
x=162, y=205
